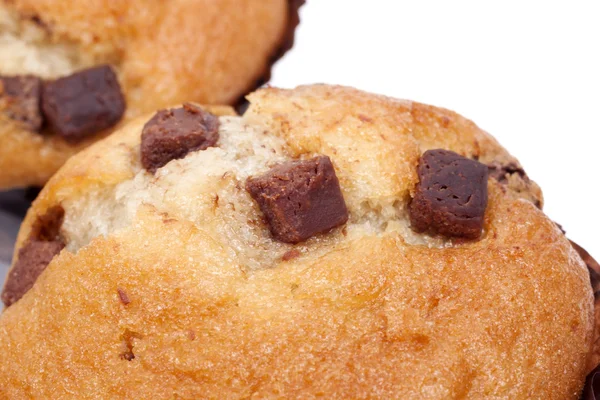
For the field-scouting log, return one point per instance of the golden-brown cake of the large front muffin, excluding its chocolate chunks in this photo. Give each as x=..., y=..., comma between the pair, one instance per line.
x=171, y=284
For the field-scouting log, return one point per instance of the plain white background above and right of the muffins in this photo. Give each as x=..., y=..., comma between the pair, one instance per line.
x=528, y=72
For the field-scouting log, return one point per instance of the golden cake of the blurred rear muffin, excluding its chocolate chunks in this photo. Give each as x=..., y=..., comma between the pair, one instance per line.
x=210, y=51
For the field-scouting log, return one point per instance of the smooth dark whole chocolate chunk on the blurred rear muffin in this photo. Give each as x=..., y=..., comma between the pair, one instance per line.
x=84, y=103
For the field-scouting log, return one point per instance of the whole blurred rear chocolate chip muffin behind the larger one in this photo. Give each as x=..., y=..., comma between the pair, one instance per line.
x=71, y=72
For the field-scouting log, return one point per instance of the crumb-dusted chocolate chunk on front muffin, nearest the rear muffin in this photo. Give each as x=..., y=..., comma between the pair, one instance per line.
x=172, y=134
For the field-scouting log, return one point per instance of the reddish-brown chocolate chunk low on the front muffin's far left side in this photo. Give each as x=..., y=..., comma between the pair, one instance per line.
x=33, y=259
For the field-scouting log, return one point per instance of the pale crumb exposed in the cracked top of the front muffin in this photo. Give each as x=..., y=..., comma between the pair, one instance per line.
x=207, y=188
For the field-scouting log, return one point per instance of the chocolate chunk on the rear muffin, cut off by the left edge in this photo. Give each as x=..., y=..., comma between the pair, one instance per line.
x=21, y=96
